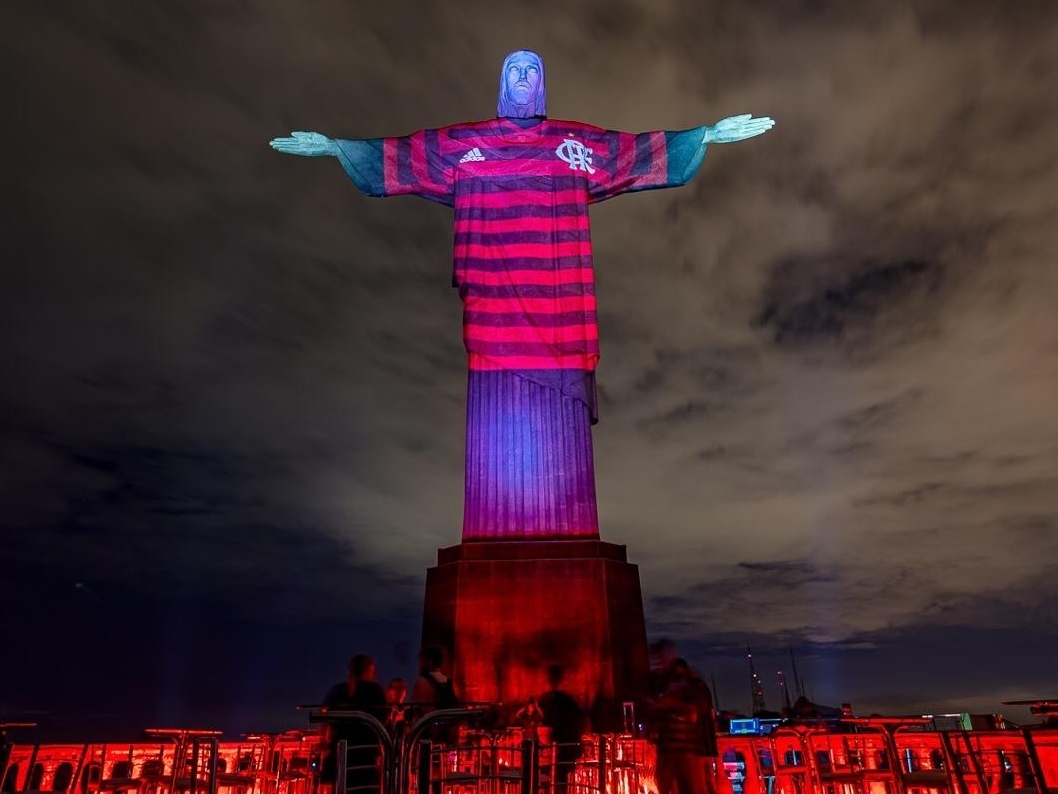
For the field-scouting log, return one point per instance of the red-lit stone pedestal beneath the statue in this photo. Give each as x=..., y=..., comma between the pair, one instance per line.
x=504, y=611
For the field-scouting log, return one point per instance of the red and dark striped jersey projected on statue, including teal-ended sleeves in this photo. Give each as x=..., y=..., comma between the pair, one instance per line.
x=523, y=246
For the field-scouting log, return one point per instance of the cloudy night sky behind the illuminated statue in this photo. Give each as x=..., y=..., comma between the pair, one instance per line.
x=232, y=403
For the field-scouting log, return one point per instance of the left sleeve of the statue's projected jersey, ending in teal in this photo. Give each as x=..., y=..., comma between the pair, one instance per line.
x=410, y=166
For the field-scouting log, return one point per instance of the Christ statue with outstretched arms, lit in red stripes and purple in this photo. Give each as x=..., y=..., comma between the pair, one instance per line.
x=521, y=186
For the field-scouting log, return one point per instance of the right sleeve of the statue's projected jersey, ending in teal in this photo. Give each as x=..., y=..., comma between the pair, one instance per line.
x=648, y=161
